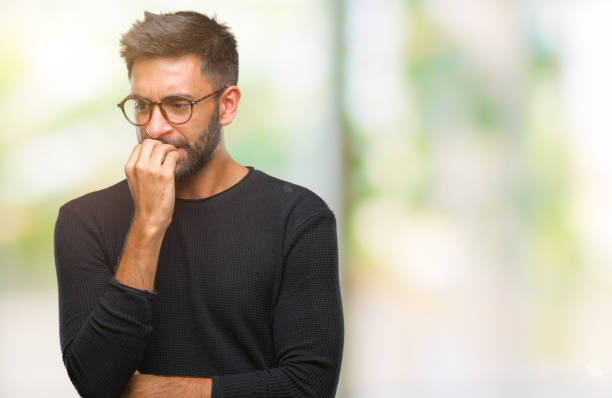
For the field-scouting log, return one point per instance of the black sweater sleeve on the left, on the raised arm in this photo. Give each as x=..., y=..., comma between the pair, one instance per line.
x=104, y=325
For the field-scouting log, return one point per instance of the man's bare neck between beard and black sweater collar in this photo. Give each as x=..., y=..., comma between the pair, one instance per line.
x=220, y=173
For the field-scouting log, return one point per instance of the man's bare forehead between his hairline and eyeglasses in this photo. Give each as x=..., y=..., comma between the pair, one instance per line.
x=158, y=77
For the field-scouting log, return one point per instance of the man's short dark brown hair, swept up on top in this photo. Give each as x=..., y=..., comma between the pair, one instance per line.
x=181, y=33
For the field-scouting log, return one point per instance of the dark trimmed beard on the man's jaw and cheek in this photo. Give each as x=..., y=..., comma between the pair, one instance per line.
x=201, y=151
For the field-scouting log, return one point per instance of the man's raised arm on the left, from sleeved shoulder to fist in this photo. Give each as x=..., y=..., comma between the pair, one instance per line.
x=105, y=320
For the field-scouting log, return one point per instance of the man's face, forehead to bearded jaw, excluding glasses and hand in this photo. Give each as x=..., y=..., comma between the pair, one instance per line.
x=195, y=140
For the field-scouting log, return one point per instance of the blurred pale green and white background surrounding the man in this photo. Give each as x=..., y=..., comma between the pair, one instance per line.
x=463, y=145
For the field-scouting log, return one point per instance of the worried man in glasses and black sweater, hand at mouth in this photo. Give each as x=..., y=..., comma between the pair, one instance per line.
x=195, y=276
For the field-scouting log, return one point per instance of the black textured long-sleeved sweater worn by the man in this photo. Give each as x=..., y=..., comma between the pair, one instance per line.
x=246, y=293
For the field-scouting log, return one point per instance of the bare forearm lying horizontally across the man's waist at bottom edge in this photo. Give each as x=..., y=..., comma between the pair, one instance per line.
x=151, y=386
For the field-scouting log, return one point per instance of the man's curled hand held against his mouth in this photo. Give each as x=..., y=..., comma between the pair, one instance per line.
x=150, y=174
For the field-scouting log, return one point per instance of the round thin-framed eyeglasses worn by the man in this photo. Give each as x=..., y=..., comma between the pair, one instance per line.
x=176, y=109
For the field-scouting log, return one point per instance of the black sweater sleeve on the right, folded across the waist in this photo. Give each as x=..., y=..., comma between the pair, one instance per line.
x=308, y=321
